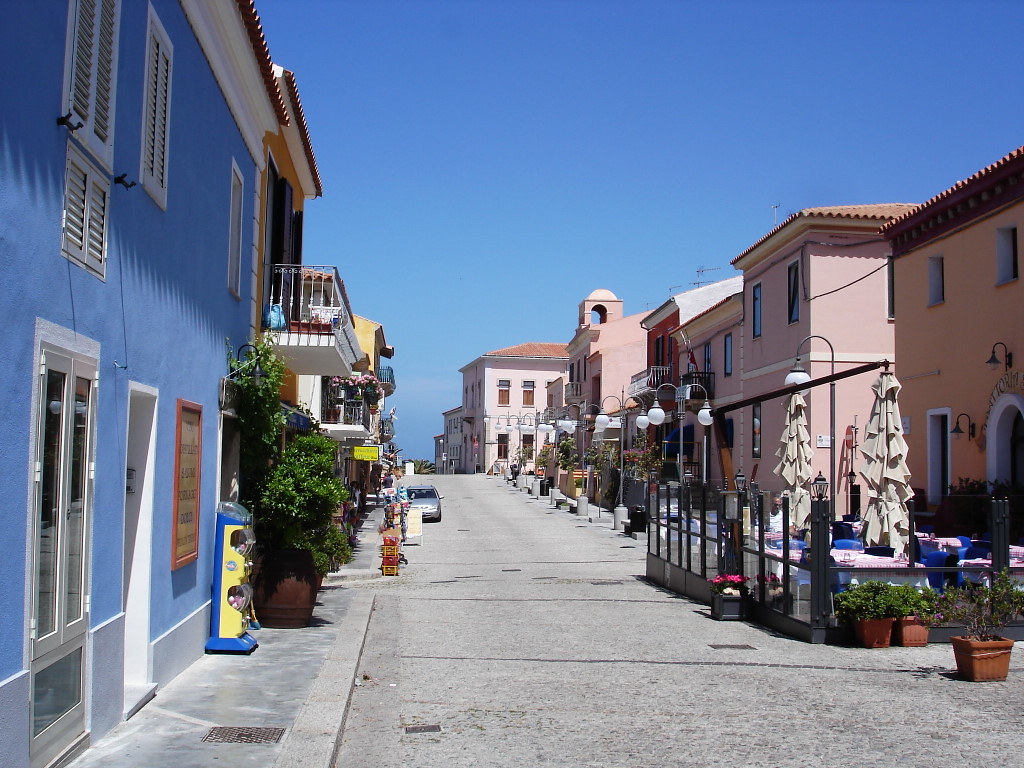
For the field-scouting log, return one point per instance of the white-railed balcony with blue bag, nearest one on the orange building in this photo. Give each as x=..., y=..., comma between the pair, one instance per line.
x=309, y=314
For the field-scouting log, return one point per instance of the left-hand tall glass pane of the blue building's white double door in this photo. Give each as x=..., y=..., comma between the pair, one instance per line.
x=49, y=530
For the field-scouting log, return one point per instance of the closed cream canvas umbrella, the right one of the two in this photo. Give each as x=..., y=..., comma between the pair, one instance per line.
x=885, y=471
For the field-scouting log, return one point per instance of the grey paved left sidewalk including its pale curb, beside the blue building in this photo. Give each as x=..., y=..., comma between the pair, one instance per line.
x=295, y=687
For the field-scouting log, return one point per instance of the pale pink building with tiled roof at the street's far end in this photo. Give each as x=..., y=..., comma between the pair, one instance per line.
x=504, y=393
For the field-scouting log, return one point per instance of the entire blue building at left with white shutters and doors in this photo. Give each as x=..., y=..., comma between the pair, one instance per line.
x=132, y=153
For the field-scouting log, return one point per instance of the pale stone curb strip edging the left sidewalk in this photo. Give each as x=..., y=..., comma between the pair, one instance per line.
x=314, y=740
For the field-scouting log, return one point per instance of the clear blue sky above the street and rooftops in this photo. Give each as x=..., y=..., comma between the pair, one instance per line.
x=487, y=165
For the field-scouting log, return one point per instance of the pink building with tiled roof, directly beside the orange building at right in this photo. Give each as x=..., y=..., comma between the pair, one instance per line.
x=823, y=274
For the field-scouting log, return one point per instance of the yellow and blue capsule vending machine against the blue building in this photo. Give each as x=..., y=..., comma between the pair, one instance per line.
x=232, y=592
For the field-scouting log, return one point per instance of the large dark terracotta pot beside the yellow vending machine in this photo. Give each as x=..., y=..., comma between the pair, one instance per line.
x=285, y=586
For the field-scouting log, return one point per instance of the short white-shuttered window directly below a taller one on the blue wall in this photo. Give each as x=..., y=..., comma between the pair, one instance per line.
x=87, y=214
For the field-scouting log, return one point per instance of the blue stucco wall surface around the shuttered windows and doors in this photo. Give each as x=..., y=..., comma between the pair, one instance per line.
x=163, y=311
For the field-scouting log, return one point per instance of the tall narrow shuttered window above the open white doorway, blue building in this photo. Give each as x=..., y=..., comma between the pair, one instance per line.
x=157, y=112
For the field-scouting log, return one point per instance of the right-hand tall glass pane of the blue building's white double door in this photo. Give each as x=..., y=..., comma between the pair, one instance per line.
x=75, y=529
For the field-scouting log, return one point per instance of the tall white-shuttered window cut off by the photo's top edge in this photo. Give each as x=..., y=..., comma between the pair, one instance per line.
x=90, y=83
